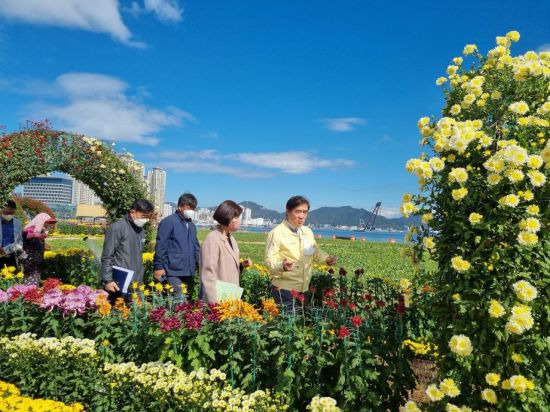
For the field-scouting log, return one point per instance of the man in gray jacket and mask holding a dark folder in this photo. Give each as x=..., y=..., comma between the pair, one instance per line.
x=124, y=241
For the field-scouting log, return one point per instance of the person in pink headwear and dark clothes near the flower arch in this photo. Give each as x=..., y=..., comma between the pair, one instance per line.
x=34, y=235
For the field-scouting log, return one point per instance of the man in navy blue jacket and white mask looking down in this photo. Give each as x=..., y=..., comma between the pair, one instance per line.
x=177, y=249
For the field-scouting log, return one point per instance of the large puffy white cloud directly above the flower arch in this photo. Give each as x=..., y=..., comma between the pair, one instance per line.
x=100, y=106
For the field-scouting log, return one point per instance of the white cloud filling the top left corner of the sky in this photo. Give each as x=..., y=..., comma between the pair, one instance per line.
x=101, y=16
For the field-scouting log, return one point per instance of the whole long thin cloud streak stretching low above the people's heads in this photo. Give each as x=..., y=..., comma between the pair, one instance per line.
x=239, y=164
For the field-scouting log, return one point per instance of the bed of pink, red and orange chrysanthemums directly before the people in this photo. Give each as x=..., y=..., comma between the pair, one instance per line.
x=347, y=344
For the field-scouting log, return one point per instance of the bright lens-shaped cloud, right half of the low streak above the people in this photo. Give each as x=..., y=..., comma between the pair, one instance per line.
x=291, y=162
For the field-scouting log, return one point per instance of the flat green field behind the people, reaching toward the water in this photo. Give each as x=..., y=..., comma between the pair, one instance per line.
x=377, y=259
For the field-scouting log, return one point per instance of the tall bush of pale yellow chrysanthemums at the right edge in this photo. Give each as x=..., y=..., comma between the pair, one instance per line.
x=484, y=181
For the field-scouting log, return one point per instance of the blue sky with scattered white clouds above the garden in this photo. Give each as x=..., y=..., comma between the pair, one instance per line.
x=251, y=100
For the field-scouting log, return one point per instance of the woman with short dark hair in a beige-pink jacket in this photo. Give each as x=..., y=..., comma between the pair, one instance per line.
x=220, y=252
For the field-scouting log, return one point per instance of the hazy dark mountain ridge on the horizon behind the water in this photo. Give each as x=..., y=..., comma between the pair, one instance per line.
x=336, y=216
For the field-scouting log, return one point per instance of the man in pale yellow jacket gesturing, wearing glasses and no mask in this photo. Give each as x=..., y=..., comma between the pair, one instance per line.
x=290, y=252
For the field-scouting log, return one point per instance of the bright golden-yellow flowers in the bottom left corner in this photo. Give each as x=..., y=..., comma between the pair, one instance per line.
x=11, y=400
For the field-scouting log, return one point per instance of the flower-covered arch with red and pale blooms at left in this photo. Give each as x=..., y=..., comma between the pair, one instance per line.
x=29, y=153
